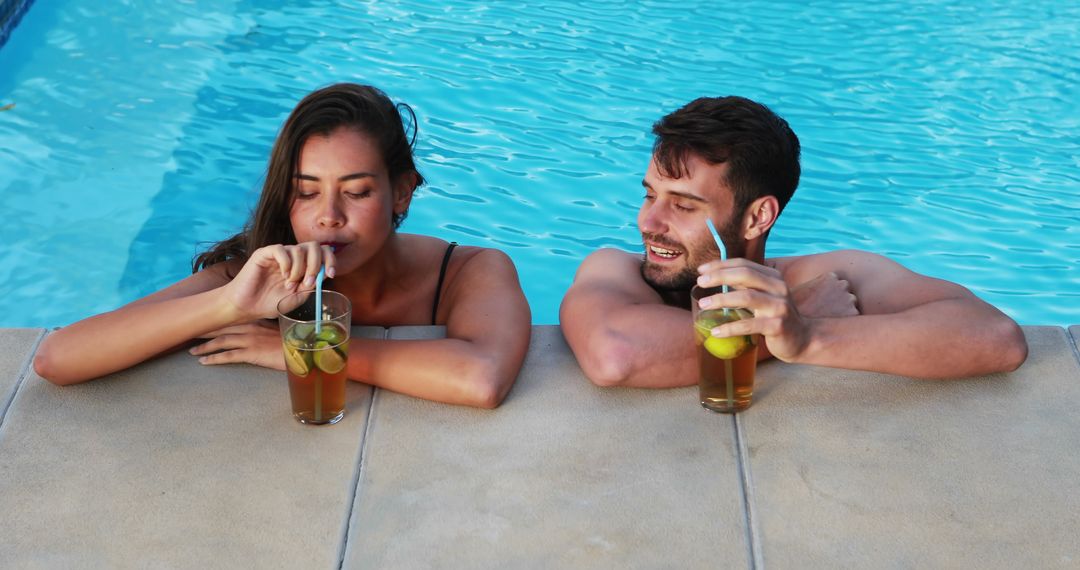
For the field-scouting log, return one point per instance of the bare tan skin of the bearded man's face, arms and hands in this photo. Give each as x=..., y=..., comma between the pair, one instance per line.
x=844, y=309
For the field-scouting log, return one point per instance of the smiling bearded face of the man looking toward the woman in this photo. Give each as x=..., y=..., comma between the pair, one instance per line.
x=672, y=222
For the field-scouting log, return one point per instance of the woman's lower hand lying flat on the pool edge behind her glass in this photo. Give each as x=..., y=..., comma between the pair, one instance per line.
x=259, y=344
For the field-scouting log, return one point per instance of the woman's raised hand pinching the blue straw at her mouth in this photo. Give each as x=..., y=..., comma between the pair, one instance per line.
x=274, y=273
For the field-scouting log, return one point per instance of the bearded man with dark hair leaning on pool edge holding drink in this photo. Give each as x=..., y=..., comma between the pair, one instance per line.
x=736, y=162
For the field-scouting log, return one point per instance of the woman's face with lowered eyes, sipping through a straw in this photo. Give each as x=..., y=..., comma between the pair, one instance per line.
x=344, y=197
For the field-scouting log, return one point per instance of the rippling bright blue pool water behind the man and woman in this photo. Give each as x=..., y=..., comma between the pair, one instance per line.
x=946, y=135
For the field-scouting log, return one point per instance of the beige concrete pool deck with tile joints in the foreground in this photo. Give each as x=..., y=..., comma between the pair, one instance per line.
x=175, y=465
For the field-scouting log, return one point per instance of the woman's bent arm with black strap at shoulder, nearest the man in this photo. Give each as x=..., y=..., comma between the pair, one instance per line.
x=488, y=335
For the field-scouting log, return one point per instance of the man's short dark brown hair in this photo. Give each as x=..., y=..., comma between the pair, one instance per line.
x=760, y=148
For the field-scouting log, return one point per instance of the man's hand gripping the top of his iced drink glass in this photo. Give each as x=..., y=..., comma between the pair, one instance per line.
x=762, y=290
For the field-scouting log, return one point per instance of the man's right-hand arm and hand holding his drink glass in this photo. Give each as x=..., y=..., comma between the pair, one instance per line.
x=910, y=324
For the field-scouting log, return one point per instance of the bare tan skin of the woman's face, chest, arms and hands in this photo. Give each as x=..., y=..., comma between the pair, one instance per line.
x=345, y=198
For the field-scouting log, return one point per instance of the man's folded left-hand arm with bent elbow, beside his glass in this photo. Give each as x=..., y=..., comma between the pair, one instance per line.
x=622, y=332
